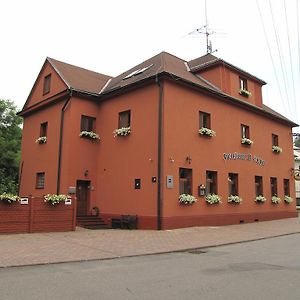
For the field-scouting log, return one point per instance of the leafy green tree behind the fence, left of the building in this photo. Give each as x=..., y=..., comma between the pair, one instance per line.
x=10, y=146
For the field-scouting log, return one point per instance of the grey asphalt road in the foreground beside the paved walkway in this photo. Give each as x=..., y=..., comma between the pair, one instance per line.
x=264, y=269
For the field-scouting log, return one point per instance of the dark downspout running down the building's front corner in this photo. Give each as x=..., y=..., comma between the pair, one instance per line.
x=159, y=152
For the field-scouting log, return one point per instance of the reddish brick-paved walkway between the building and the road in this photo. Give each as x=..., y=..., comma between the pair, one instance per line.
x=80, y=245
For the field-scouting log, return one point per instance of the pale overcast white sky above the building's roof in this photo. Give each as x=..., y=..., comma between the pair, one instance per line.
x=109, y=37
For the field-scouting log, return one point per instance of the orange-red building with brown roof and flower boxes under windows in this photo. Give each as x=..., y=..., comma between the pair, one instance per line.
x=175, y=143
